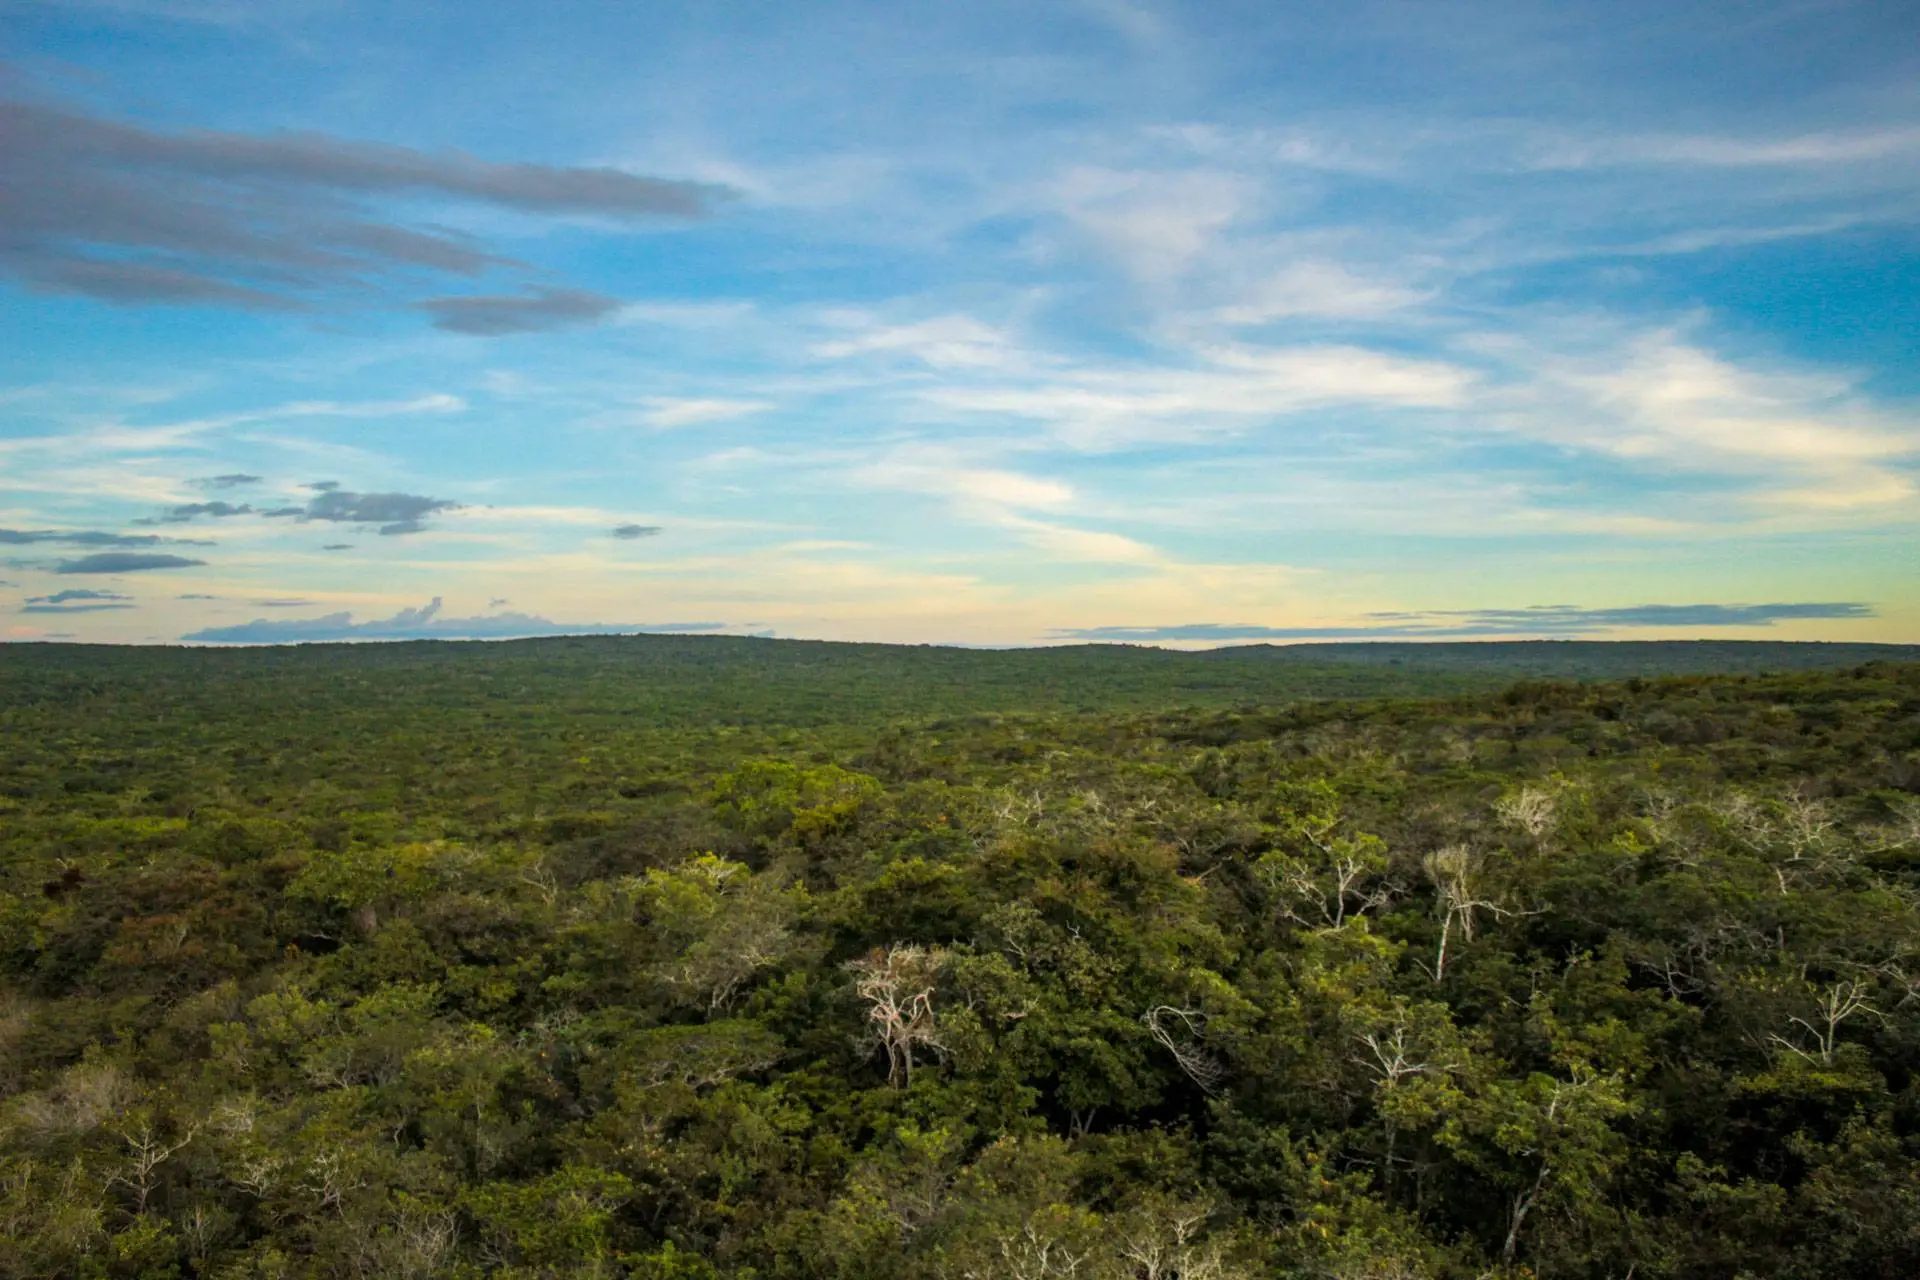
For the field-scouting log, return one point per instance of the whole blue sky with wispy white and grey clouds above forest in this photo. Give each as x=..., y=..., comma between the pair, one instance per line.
x=959, y=323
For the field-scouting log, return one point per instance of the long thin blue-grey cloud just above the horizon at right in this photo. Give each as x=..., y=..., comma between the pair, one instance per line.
x=1468, y=623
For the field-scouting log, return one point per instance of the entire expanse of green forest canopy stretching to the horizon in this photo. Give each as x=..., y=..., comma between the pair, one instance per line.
x=777, y=960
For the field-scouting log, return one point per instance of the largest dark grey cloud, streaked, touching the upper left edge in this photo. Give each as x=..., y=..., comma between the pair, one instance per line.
x=262, y=222
